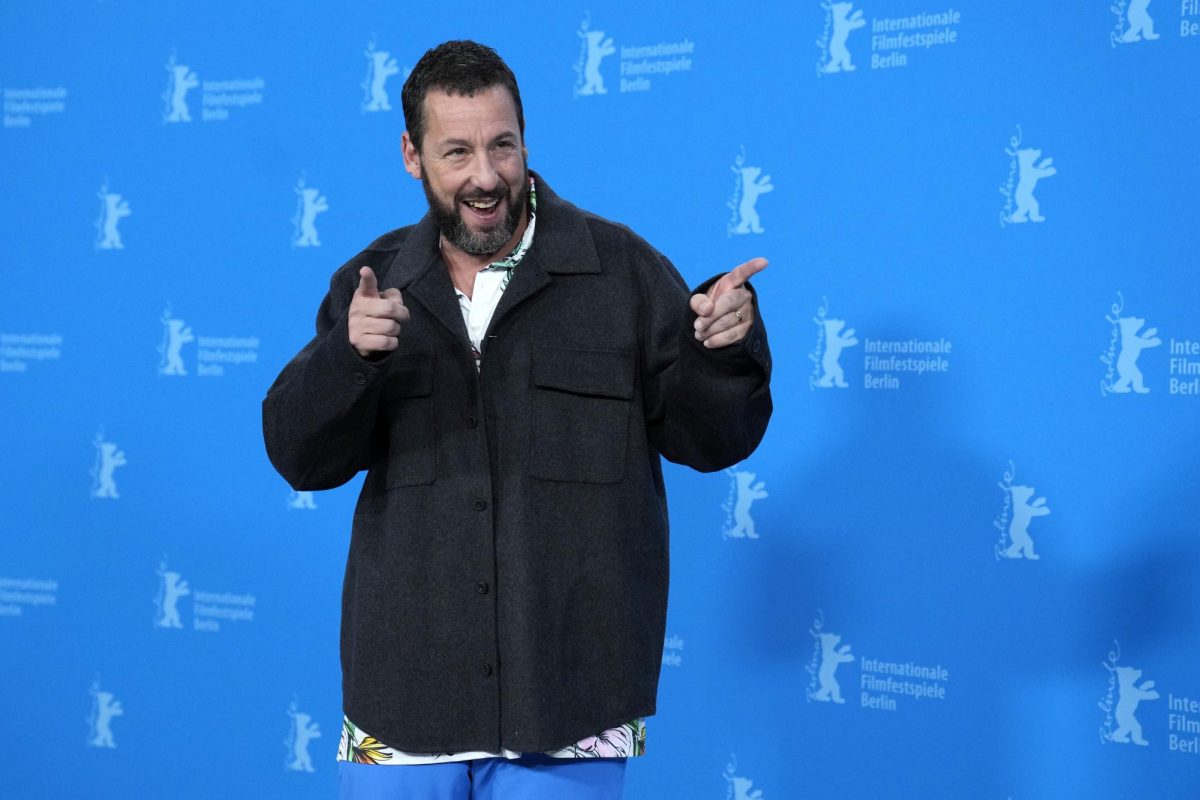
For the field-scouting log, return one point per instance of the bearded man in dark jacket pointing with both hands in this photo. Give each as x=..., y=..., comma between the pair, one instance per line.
x=508, y=371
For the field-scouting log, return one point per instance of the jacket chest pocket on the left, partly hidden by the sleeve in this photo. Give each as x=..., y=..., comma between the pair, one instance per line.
x=407, y=405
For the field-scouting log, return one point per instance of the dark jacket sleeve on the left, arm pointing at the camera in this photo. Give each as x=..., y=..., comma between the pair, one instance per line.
x=320, y=414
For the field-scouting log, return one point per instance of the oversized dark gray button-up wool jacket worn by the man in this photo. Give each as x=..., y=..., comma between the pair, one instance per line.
x=507, y=581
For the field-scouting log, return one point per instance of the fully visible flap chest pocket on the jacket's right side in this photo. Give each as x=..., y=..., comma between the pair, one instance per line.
x=580, y=418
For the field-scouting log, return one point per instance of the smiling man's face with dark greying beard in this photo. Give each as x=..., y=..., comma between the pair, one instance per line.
x=472, y=165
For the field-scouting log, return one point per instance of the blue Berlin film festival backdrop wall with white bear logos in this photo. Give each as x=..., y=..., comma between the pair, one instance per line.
x=963, y=564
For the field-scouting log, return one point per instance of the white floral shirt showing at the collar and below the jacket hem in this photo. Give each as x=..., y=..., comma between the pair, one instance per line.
x=623, y=742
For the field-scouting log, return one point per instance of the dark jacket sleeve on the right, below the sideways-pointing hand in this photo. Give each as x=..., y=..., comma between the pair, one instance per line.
x=705, y=408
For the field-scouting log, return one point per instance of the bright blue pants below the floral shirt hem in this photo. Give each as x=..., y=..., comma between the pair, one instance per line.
x=530, y=778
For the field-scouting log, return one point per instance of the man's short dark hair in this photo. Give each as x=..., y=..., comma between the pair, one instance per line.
x=460, y=68
